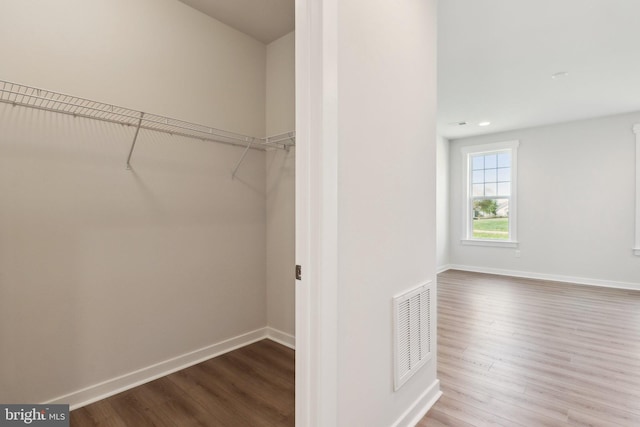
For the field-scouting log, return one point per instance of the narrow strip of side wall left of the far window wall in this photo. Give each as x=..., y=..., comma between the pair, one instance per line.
x=442, y=203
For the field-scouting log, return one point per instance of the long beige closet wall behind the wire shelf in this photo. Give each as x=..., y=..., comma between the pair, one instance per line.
x=105, y=271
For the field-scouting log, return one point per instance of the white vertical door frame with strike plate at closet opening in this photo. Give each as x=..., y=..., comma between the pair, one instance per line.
x=316, y=213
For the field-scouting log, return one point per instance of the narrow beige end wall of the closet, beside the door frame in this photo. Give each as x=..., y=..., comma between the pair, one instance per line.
x=280, y=112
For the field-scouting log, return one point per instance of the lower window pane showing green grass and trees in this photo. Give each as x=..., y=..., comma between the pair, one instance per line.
x=491, y=219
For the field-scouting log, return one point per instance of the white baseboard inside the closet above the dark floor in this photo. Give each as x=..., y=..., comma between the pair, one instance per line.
x=119, y=384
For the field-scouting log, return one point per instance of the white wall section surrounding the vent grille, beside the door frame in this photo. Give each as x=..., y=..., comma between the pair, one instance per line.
x=386, y=215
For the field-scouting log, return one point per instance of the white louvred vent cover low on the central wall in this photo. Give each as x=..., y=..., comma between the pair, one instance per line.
x=412, y=339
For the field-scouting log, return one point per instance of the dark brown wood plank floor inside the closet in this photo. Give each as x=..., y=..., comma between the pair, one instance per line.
x=251, y=386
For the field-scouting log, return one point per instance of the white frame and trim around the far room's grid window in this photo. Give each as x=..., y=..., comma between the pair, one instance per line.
x=467, y=226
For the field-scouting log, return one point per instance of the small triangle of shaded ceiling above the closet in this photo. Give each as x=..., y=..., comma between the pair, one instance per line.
x=264, y=20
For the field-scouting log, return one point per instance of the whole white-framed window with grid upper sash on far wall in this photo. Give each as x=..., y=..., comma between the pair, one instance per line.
x=490, y=194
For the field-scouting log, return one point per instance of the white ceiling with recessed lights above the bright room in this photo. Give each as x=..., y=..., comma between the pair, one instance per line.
x=496, y=58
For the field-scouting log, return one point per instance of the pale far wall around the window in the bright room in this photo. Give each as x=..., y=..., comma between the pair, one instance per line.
x=575, y=203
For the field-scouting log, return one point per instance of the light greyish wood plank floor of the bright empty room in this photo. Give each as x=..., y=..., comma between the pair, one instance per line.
x=519, y=352
